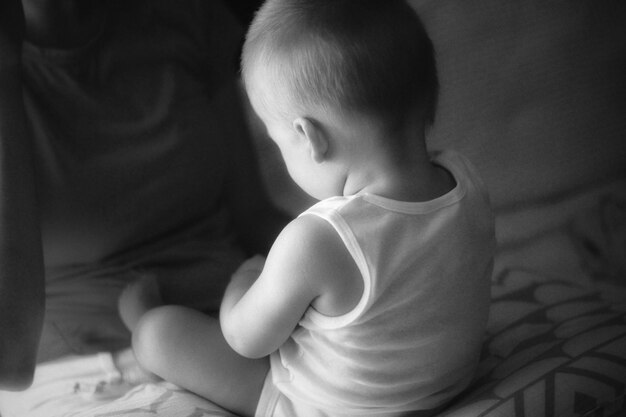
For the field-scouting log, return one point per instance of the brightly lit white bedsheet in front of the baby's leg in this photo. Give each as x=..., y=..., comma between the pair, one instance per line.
x=81, y=386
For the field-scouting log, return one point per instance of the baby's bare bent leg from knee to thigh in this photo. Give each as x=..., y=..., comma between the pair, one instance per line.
x=187, y=348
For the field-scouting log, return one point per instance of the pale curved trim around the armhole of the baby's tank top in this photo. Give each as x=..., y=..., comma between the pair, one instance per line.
x=353, y=247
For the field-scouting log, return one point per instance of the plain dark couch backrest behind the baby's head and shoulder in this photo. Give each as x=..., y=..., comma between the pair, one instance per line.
x=533, y=92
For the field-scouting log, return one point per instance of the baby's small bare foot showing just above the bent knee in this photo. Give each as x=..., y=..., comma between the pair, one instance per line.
x=137, y=298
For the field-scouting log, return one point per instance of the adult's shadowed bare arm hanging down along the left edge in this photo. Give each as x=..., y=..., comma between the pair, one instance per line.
x=21, y=259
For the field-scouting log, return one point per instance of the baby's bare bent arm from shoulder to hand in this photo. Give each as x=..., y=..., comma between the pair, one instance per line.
x=307, y=264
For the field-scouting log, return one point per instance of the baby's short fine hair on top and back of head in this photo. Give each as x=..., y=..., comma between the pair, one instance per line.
x=370, y=57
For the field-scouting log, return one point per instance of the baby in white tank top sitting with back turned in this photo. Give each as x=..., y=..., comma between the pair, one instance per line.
x=375, y=300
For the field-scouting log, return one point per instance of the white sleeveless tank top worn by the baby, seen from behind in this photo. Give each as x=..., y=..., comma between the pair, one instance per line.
x=413, y=341
